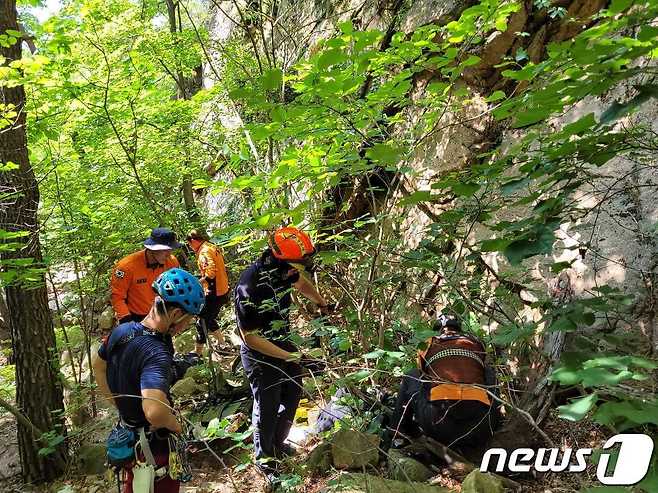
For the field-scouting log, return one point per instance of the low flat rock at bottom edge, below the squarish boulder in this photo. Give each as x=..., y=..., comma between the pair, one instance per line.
x=365, y=483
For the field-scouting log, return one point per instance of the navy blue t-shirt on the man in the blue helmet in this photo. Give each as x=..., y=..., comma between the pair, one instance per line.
x=133, y=364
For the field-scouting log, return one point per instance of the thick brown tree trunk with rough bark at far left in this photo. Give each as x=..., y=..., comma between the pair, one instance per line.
x=38, y=391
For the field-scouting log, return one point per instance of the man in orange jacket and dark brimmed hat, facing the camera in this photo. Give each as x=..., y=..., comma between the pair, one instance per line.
x=133, y=275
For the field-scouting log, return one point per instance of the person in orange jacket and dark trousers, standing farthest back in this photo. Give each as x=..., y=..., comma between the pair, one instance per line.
x=215, y=283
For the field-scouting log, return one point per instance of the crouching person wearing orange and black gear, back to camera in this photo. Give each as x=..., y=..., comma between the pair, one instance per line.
x=445, y=397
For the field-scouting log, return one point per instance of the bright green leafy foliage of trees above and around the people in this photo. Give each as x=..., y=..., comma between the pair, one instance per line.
x=333, y=142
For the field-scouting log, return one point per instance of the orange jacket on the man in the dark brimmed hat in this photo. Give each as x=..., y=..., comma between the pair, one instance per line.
x=131, y=284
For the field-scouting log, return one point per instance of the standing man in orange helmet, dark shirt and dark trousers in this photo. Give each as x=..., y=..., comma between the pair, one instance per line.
x=271, y=361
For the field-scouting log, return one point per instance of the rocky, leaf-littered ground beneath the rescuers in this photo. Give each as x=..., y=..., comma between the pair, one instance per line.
x=349, y=462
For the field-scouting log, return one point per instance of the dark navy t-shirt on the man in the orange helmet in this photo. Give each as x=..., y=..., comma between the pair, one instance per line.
x=263, y=298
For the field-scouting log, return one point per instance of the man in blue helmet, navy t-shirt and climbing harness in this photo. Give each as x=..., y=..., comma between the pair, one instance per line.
x=133, y=369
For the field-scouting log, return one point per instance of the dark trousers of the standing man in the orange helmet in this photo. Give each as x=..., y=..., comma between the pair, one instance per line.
x=277, y=388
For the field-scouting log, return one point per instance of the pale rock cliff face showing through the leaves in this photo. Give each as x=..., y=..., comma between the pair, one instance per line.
x=620, y=232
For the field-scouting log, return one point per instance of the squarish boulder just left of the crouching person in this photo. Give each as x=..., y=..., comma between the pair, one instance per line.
x=354, y=450
